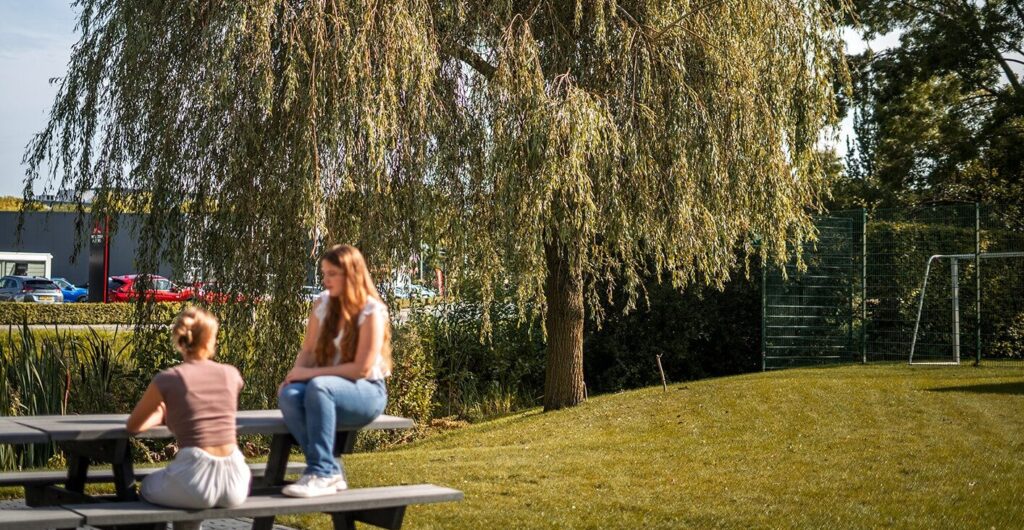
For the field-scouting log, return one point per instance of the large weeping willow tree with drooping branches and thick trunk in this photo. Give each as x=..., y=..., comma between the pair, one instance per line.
x=565, y=149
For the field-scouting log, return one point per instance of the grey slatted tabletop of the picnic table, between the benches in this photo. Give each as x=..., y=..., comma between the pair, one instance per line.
x=45, y=429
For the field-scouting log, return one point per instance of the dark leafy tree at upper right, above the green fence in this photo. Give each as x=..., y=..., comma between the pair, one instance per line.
x=940, y=117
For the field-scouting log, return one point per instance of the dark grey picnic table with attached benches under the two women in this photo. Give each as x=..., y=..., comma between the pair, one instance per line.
x=92, y=439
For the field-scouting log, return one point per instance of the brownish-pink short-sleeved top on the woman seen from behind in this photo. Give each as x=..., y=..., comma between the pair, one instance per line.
x=202, y=400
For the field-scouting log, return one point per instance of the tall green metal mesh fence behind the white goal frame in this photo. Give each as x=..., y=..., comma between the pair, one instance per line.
x=933, y=285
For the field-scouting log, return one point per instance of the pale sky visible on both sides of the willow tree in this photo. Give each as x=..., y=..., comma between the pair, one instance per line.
x=36, y=38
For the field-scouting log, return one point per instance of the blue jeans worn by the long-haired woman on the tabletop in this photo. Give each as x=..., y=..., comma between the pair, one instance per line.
x=314, y=410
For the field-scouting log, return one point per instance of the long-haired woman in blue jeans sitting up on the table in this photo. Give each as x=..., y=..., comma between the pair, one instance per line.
x=338, y=378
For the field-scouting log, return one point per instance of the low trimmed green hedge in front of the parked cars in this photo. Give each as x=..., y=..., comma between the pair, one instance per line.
x=17, y=314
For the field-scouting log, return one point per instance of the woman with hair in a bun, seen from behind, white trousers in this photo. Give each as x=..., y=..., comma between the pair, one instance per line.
x=198, y=400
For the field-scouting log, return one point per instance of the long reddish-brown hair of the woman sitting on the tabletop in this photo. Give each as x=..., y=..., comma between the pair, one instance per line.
x=344, y=312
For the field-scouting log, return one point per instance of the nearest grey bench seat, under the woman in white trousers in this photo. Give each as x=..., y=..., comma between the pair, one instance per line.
x=265, y=506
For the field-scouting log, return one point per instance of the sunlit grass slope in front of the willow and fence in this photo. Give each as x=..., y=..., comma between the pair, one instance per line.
x=851, y=447
